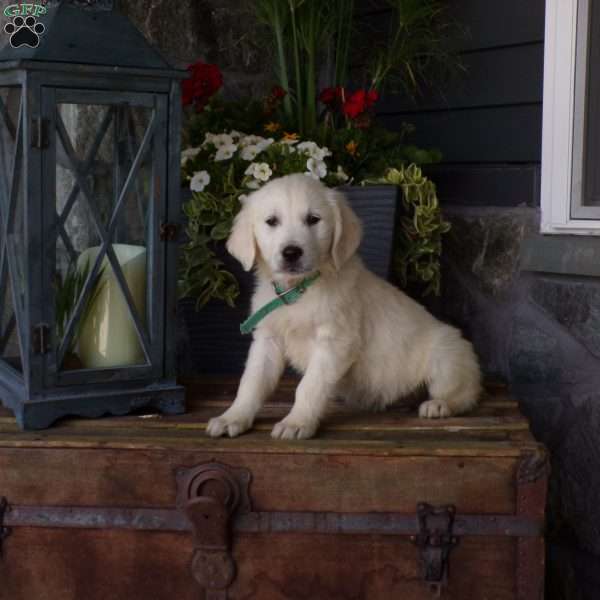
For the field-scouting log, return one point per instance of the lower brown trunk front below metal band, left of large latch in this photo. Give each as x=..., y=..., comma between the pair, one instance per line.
x=44, y=564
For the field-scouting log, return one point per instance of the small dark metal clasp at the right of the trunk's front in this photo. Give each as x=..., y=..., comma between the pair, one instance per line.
x=435, y=540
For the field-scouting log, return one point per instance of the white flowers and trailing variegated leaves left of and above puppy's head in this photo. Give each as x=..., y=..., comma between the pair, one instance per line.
x=215, y=201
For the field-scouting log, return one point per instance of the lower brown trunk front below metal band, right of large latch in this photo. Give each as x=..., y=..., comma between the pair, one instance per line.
x=321, y=569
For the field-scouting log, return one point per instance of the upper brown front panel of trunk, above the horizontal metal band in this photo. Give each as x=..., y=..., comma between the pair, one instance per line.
x=349, y=482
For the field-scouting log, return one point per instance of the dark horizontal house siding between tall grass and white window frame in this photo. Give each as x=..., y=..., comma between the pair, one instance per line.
x=488, y=120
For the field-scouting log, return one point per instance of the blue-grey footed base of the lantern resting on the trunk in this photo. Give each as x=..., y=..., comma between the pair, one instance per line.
x=165, y=397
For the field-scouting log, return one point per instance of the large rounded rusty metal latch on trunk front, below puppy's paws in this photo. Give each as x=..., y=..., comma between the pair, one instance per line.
x=211, y=495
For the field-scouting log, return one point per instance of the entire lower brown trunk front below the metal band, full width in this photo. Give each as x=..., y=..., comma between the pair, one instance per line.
x=96, y=565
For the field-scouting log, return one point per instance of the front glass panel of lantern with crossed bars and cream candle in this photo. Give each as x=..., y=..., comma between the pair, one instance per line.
x=104, y=186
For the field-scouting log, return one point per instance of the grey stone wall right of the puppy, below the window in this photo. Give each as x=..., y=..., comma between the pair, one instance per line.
x=541, y=333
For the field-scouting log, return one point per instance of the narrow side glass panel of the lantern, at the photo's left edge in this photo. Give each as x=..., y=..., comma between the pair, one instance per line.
x=12, y=234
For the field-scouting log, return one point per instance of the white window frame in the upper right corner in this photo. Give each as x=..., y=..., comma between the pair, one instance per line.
x=563, y=116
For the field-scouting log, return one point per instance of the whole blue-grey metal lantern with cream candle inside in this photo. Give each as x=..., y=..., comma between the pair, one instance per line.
x=89, y=201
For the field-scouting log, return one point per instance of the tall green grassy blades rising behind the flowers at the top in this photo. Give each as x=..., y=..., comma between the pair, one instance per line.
x=309, y=34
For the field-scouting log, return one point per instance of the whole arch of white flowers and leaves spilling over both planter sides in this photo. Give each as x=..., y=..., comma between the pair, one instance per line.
x=225, y=167
